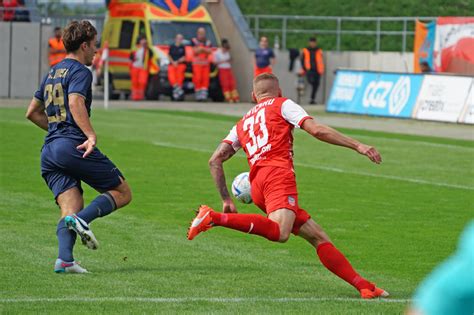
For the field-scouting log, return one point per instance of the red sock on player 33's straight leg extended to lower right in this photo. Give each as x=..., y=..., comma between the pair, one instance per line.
x=335, y=261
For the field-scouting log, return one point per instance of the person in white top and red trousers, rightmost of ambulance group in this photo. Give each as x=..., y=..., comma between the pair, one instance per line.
x=222, y=59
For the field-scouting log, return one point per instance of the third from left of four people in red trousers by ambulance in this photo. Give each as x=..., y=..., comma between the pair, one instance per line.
x=201, y=64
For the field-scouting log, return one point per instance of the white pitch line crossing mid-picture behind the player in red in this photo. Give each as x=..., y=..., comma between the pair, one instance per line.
x=337, y=170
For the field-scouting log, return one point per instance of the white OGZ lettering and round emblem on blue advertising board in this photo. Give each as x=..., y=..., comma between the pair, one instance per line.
x=378, y=93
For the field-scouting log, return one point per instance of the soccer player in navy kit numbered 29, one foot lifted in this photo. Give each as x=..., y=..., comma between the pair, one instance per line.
x=69, y=155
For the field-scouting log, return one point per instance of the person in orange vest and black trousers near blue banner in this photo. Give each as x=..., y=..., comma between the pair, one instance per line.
x=313, y=65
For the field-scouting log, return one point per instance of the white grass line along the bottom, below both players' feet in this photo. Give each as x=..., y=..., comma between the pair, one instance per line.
x=197, y=299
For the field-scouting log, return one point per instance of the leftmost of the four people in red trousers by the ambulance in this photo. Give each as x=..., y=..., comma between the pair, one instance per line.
x=139, y=68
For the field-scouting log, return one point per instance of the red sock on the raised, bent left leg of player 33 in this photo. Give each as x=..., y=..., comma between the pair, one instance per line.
x=248, y=223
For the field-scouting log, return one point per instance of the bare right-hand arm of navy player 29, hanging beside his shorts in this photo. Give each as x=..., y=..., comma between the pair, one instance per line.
x=81, y=117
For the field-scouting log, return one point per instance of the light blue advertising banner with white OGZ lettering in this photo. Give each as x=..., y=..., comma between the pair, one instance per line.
x=374, y=93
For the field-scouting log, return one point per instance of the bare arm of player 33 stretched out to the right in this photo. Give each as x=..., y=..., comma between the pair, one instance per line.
x=329, y=135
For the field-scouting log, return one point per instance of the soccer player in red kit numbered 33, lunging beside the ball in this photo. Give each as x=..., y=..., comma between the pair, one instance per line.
x=265, y=133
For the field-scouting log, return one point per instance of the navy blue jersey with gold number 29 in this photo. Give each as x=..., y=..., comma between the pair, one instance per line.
x=65, y=78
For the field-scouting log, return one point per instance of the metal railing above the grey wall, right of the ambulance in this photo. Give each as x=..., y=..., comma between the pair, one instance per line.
x=256, y=21
